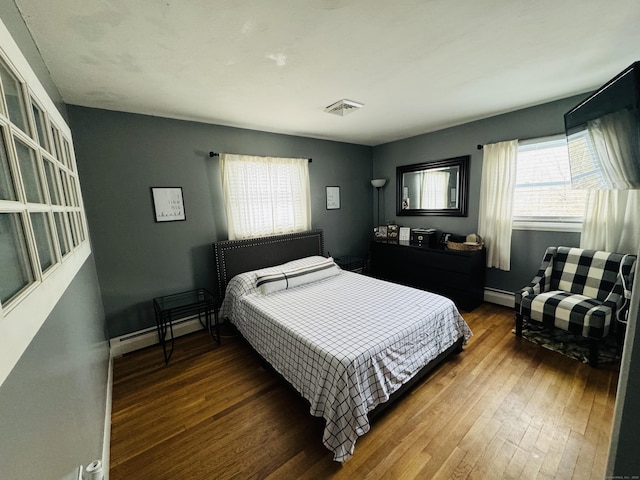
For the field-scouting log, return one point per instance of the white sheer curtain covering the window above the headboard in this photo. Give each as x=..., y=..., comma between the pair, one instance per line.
x=265, y=195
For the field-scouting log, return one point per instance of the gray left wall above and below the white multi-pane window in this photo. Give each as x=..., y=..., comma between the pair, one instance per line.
x=52, y=405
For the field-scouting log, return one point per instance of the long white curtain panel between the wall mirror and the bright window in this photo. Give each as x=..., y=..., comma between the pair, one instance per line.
x=496, y=201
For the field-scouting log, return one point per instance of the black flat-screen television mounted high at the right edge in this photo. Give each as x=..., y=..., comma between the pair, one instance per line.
x=603, y=135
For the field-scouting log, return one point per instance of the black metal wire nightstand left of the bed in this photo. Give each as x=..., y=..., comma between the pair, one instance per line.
x=171, y=307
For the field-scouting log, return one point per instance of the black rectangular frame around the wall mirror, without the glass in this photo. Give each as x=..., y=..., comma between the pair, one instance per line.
x=463, y=191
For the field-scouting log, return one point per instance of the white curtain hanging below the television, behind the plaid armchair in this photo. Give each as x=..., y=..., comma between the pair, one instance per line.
x=611, y=221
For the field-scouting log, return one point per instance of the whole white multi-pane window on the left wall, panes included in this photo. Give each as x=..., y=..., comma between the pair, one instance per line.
x=43, y=241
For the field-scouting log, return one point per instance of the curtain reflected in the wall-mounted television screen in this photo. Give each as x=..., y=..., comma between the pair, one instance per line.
x=611, y=135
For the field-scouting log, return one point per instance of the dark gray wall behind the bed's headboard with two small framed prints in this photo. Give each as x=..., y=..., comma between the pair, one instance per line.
x=120, y=156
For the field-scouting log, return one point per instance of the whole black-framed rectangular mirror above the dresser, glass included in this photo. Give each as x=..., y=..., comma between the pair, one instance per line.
x=433, y=188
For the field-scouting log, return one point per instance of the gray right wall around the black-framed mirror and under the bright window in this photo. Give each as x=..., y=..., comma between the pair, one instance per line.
x=527, y=247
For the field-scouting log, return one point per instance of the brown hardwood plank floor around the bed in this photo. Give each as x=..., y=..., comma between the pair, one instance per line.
x=503, y=408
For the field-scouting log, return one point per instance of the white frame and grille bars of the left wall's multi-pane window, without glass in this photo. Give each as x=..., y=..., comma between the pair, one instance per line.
x=24, y=314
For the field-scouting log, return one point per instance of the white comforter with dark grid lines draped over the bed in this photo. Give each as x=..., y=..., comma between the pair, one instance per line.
x=345, y=343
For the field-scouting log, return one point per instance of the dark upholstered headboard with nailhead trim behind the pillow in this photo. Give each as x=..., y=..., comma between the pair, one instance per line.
x=238, y=256
